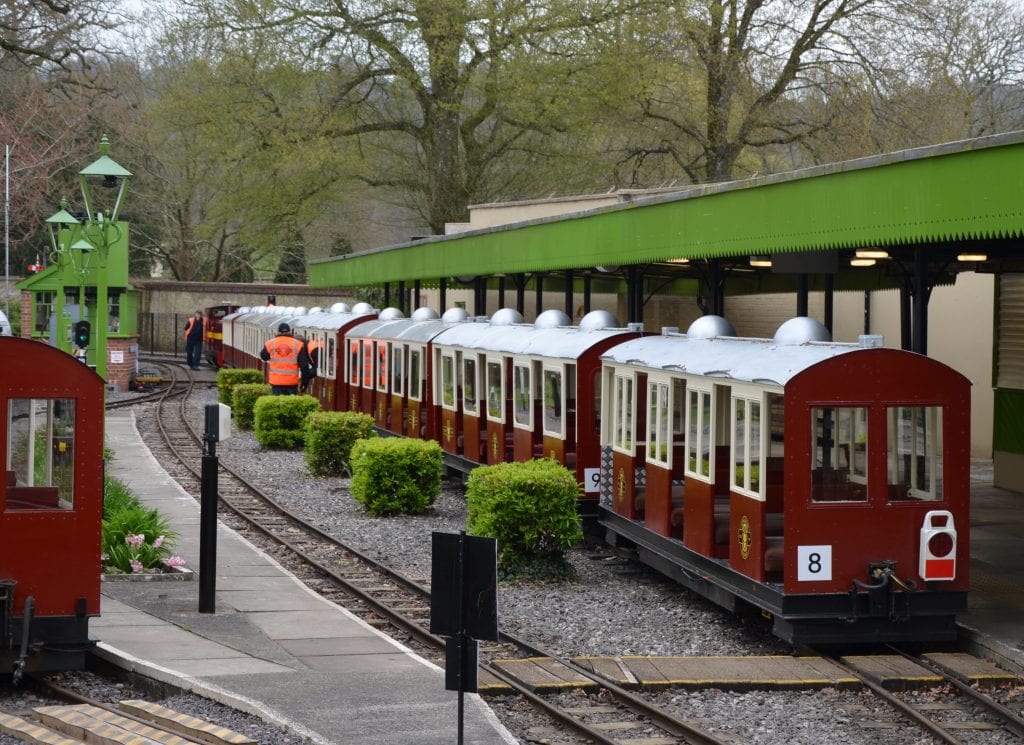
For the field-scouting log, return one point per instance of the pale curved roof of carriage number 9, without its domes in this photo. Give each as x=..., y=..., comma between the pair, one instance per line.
x=526, y=339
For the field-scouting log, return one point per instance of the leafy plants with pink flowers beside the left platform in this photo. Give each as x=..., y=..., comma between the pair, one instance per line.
x=135, y=540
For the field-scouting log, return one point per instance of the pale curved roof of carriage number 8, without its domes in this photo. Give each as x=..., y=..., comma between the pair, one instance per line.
x=750, y=361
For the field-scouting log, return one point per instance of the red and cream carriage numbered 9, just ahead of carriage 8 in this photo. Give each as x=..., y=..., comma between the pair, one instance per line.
x=511, y=391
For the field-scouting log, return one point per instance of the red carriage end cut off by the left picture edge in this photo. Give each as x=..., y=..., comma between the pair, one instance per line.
x=52, y=433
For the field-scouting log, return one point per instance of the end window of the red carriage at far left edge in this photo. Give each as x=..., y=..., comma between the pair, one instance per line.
x=40, y=459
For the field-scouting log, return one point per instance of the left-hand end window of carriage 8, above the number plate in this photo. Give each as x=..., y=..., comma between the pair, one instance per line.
x=839, y=454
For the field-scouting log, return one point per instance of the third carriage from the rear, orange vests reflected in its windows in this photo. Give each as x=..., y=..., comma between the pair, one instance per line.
x=388, y=367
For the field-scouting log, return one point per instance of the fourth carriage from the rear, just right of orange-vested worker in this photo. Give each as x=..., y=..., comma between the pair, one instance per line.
x=325, y=332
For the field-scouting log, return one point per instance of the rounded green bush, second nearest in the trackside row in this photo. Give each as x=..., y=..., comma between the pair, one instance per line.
x=396, y=476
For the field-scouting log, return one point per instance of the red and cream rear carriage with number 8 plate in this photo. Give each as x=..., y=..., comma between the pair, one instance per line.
x=827, y=485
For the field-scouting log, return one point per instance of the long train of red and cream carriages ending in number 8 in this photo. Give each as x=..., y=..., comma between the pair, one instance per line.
x=825, y=486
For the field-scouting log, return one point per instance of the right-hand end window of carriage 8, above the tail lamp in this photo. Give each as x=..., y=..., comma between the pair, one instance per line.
x=915, y=453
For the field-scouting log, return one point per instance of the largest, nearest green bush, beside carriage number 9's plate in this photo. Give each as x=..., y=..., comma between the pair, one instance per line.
x=530, y=508
